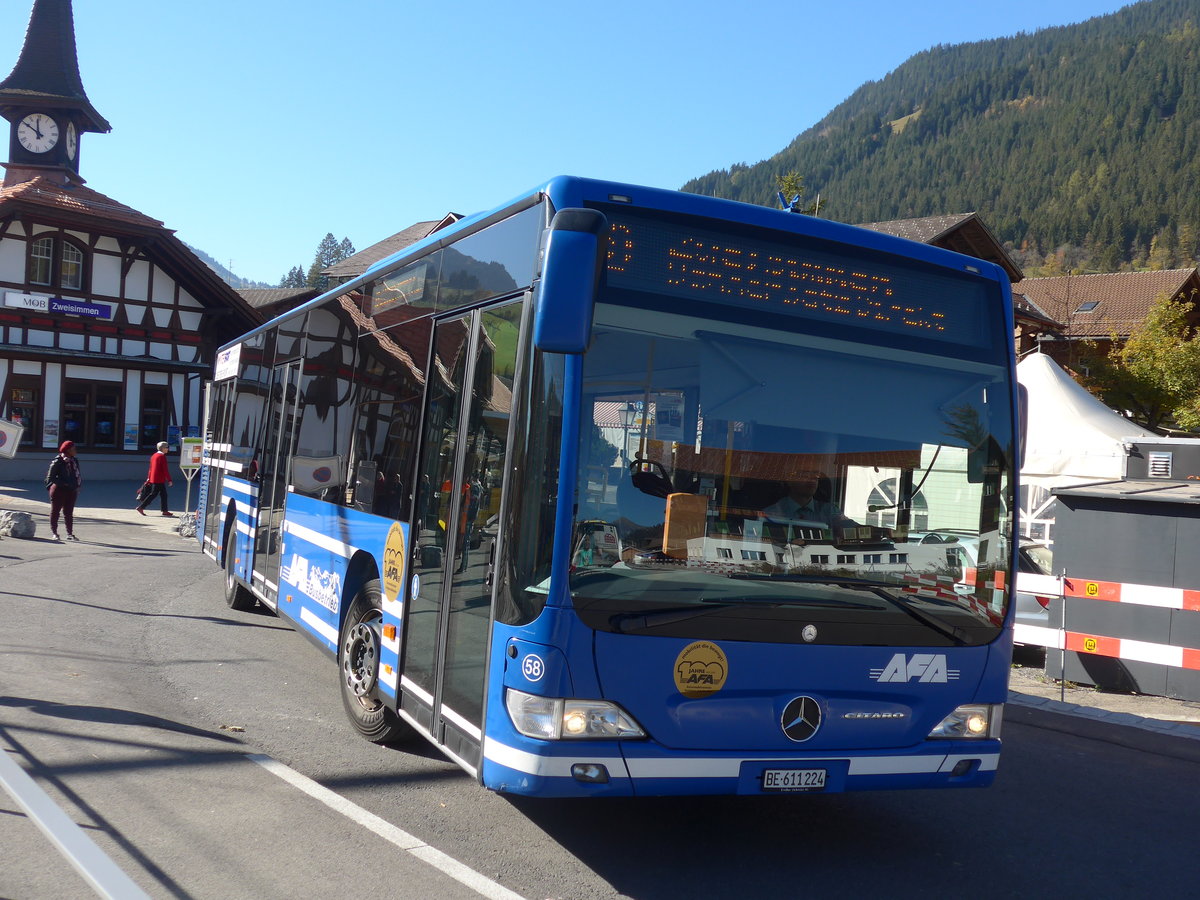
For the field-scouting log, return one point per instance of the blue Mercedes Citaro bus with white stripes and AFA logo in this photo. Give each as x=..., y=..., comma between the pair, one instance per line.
x=620, y=491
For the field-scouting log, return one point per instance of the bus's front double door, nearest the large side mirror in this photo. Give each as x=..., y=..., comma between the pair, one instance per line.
x=449, y=614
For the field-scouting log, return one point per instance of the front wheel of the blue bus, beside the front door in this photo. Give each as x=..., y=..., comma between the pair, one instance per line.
x=358, y=662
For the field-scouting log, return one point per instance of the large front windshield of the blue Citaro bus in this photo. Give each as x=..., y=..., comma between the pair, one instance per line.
x=748, y=475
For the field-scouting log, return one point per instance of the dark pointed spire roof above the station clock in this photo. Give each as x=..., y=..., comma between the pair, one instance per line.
x=47, y=74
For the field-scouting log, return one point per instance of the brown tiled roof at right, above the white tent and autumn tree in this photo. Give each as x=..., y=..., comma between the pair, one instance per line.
x=1102, y=305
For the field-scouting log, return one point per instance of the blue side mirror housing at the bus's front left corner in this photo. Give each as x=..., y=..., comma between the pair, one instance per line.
x=571, y=277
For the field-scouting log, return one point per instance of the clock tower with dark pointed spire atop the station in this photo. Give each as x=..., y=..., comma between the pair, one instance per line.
x=45, y=103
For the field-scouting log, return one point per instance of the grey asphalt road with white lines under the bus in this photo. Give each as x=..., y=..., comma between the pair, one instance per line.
x=151, y=713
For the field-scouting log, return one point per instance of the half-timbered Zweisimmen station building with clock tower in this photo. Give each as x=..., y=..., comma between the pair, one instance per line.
x=109, y=322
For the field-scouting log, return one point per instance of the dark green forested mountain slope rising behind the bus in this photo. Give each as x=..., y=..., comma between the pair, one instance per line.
x=1083, y=141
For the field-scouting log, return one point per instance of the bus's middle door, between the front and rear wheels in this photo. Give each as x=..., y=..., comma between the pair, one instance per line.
x=274, y=478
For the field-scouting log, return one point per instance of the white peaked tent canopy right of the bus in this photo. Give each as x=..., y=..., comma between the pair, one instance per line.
x=1072, y=436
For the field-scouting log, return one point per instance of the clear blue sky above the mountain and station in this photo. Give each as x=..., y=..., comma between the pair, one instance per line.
x=253, y=128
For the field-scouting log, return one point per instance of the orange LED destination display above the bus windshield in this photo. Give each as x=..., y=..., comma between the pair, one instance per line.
x=809, y=283
